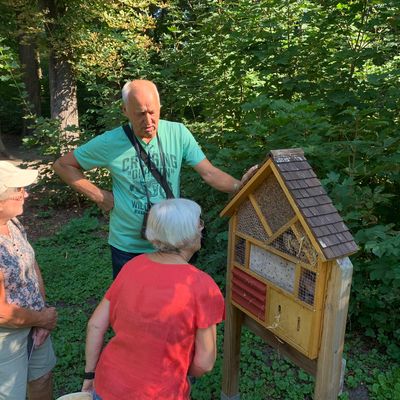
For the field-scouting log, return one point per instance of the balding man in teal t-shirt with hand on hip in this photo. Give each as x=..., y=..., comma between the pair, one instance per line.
x=167, y=144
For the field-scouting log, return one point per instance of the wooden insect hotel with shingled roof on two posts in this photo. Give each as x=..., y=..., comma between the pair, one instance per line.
x=289, y=274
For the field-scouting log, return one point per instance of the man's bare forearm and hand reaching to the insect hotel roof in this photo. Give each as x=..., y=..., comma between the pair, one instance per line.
x=220, y=180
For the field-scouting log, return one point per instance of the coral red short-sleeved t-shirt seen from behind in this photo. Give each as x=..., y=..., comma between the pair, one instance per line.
x=155, y=310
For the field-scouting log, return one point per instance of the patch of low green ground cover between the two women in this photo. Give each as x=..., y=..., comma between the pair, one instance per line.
x=75, y=264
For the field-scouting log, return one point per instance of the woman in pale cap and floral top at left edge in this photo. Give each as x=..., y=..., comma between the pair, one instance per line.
x=26, y=353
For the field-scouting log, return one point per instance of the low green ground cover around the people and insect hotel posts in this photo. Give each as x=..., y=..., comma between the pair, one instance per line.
x=76, y=266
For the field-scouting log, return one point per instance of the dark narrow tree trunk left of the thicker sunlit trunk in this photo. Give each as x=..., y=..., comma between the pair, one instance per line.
x=29, y=59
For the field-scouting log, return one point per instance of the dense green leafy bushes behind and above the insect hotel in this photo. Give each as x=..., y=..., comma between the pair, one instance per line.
x=321, y=76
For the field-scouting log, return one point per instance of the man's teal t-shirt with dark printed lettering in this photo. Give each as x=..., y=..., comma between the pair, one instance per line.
x=114, y=151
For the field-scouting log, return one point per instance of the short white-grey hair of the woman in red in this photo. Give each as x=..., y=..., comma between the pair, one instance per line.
x=173, y=224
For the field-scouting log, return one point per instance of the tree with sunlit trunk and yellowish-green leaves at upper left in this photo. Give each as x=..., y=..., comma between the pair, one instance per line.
x=90, y=44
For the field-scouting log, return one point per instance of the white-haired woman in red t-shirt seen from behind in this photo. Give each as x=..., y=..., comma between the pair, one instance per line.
x=163, y=311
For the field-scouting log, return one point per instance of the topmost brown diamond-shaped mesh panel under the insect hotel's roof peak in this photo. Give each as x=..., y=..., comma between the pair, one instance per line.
x=273, y=203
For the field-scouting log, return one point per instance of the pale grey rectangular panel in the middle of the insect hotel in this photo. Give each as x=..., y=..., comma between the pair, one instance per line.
x=272, y=267
